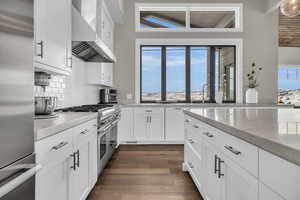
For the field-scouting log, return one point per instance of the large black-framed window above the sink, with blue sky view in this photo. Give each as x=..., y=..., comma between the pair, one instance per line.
x=187, y=73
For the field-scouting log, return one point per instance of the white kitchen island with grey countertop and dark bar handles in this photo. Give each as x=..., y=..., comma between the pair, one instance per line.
x=243, y=153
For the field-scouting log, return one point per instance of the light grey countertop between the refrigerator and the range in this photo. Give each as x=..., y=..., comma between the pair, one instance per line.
x=46, y=127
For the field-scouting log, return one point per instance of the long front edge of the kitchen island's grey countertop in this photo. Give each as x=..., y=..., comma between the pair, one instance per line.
x=285, y=152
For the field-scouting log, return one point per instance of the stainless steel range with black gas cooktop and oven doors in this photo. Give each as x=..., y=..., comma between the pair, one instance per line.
x=108, y=118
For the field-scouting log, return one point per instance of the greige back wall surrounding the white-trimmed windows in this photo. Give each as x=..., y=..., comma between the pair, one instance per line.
x=260, y=37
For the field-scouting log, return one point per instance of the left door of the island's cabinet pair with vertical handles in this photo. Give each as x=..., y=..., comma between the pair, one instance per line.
x=212, y=185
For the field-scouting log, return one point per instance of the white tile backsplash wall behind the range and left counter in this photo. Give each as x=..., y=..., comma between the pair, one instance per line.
x=72, y=90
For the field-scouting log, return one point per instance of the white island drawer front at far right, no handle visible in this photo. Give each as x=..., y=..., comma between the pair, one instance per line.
x=280, y=175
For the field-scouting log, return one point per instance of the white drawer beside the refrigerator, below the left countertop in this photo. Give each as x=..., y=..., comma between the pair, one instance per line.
x=54, y=148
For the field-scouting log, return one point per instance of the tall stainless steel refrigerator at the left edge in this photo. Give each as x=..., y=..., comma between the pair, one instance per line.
x=17, y=160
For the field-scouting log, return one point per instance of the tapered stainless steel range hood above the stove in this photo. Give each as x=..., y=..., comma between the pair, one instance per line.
x=85, y=43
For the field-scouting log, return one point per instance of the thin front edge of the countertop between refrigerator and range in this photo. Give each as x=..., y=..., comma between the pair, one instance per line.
x=53, y=130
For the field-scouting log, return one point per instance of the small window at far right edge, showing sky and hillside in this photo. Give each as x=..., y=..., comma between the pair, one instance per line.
x=289, y=85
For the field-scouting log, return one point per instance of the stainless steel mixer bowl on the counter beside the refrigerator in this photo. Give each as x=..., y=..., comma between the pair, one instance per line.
x=45, y=105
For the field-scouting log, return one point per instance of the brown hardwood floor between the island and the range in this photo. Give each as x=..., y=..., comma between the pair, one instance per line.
x=145, y=172
